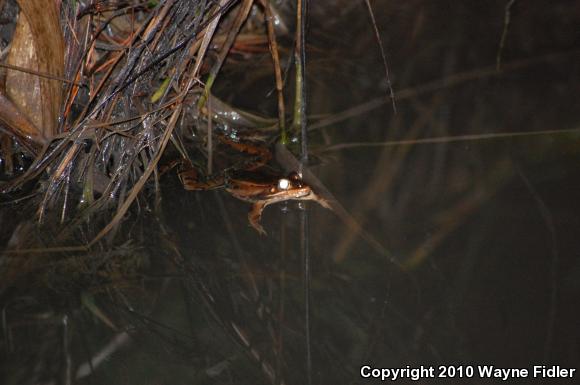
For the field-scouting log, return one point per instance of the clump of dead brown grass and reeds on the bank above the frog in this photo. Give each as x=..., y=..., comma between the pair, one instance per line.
x=138, y=78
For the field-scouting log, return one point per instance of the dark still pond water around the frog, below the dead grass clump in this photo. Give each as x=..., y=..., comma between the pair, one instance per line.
x=480, y=235
